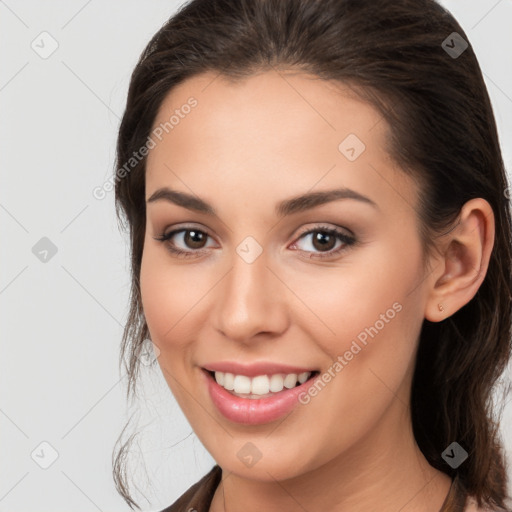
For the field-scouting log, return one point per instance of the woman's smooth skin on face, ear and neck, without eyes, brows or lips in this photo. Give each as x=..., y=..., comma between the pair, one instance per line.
x=244, y=148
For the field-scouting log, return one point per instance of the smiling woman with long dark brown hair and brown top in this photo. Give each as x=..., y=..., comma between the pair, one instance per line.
x=321, y=253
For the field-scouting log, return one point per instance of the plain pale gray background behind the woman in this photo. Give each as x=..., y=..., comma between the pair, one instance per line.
x=62, y=319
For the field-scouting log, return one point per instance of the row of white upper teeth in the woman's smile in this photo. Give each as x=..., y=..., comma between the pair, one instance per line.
x=260, y=385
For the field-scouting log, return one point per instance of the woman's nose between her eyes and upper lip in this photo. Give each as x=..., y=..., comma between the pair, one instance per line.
x=250, y=301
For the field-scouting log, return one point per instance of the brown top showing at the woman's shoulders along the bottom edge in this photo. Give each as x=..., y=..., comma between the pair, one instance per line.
x=199, y=496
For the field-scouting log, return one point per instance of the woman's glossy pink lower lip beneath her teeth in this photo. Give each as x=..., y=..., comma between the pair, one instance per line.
x=254, y=411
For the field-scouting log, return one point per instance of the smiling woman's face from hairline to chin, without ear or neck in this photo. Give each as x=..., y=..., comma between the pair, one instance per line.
x=266, y=286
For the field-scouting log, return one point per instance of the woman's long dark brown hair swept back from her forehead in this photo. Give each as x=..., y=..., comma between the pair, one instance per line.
x=442, y=132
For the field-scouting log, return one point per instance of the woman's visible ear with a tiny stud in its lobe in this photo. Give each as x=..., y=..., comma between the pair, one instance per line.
x=463, y=263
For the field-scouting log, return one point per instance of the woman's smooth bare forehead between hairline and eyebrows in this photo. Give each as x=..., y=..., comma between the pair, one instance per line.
x=274, y=127
